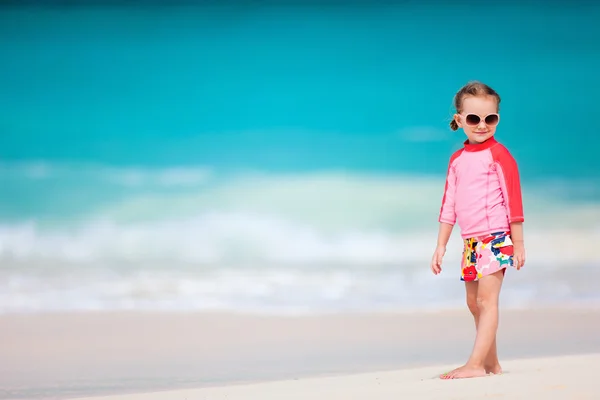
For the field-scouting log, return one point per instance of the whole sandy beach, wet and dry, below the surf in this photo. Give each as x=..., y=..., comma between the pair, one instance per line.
x=545, y=353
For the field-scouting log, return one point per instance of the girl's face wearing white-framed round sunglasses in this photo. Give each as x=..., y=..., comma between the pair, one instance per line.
x=482, y=106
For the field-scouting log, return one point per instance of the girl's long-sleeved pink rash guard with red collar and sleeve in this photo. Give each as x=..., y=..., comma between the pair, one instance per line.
x=483, y=190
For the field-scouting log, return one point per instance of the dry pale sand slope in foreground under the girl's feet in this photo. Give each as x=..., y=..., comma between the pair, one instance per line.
x=569, y=377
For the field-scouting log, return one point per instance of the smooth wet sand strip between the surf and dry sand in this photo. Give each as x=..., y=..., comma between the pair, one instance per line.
x=78, y=355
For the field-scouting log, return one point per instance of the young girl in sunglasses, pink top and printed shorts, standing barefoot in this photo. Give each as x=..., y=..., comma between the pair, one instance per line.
x=483, y=195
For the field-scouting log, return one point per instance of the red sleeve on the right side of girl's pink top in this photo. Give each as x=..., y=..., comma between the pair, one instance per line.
x=508, y=173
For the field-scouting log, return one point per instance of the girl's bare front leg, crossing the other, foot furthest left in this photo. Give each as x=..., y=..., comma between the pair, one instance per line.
x=488, y=293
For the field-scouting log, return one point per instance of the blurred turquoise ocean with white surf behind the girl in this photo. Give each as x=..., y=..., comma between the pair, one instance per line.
x=283, y=158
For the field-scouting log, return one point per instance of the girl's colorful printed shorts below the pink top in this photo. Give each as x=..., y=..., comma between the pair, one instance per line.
x=484, y=255
